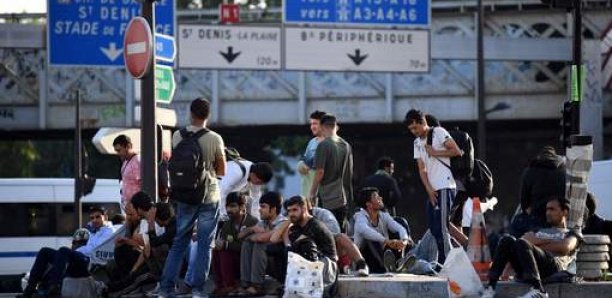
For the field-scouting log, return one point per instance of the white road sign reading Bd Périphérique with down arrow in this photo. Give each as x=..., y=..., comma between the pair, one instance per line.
x=357, y=50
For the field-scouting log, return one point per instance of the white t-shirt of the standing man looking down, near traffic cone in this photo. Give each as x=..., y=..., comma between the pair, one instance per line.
x=439, y=175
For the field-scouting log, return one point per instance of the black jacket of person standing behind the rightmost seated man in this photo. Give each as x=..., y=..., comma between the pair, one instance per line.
x=543, y=178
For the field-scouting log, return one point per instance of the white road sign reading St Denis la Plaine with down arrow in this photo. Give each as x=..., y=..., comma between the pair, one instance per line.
x=229, y=47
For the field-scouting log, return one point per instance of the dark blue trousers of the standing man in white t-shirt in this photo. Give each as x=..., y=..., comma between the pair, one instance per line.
x=438, y=219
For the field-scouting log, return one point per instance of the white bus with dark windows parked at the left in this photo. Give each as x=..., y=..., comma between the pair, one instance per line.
x=37, y=213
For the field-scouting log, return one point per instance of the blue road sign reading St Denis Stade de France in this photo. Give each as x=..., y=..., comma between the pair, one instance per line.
x=90, y=32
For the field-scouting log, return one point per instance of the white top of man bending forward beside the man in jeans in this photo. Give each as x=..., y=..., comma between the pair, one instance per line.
x=233, y=181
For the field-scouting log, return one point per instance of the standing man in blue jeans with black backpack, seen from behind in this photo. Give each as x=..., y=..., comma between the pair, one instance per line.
x=197, y=160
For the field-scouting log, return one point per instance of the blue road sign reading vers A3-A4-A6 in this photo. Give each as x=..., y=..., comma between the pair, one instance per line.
x=413, y=13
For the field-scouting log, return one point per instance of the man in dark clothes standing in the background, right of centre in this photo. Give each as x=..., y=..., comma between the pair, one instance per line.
x=385, y=183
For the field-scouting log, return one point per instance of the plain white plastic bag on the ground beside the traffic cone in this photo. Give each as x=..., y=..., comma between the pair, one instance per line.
x=462, y=278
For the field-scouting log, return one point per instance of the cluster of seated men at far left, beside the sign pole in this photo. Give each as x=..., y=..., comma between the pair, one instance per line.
x=141, y=241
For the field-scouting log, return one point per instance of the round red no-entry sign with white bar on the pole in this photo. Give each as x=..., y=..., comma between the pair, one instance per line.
x=138, y=47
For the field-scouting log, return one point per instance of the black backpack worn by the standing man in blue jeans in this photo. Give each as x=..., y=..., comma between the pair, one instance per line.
x=188, y=180
